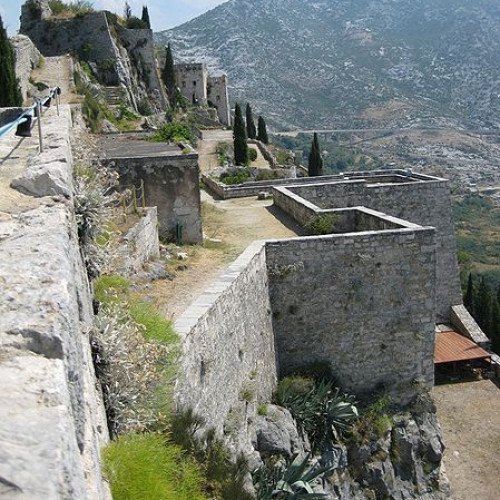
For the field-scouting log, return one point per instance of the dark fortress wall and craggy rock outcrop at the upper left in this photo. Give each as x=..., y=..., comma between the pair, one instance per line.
x=119, y=56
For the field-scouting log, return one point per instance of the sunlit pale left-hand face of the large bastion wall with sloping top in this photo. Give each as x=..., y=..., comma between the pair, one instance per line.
x=228, y=342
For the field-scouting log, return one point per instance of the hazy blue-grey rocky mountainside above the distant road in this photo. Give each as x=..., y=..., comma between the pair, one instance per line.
x=347, y=63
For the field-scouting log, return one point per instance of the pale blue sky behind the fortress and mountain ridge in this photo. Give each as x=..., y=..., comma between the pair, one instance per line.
x=164, y=14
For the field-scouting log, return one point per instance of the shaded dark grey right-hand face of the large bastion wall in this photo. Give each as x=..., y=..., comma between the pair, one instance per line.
x=363, y=303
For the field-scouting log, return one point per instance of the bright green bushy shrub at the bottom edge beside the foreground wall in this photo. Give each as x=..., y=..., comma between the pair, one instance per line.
x=146, y=467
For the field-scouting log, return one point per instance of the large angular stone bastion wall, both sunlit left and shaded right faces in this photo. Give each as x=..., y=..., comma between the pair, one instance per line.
x=361, y=303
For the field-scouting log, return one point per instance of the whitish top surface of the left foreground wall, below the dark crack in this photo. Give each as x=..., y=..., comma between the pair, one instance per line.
x=39, y=455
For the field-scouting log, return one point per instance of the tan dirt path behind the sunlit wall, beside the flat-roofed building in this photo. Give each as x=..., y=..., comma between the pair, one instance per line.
x=230, y=226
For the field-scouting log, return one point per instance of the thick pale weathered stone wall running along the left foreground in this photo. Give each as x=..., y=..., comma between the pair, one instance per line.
x=52, y=421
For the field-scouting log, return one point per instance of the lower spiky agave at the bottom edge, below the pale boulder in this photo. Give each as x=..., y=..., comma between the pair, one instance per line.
x=291, y=483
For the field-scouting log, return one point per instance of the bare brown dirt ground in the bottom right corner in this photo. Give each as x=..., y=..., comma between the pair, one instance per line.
x=469, y=414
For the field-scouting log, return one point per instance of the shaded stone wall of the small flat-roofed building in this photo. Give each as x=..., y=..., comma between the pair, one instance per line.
x=171, y=184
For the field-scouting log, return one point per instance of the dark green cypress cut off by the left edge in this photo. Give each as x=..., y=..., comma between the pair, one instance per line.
x=10, y=94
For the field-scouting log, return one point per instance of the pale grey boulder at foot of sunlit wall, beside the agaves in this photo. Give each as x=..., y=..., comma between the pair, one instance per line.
x=277, y=433
